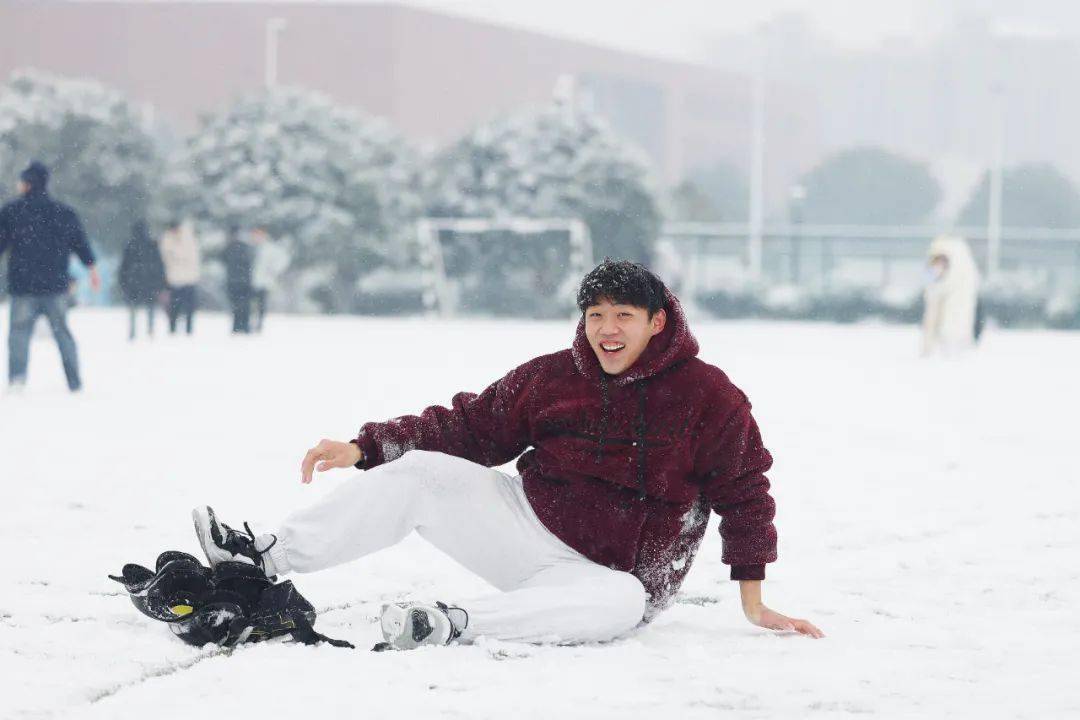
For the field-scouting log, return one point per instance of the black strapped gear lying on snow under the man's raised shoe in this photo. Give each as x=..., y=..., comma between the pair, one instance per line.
x=231, y=605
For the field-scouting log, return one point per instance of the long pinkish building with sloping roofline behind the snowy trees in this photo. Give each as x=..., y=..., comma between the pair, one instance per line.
x=433, y=76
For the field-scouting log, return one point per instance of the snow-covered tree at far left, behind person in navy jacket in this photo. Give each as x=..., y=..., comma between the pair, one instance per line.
x=97, y=144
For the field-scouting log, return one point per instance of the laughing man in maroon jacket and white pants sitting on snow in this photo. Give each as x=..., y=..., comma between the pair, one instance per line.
x=629, y=441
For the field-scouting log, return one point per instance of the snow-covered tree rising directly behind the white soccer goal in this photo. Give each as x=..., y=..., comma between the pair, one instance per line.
x=561, y=161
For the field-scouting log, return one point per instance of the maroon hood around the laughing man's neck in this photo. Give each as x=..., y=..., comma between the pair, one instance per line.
x=673, y=345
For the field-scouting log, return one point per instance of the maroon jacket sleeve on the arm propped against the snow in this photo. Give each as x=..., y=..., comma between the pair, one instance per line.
x=733, y=461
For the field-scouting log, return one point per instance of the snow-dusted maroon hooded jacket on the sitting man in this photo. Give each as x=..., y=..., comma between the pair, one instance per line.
x=624, y=469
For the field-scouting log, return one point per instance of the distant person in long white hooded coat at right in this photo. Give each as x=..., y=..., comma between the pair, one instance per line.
x=952, y=296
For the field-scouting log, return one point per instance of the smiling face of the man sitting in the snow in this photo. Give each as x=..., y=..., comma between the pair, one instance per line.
x=619, y=334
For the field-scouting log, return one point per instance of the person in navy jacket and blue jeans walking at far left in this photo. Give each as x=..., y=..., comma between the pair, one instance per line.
x=43, y=235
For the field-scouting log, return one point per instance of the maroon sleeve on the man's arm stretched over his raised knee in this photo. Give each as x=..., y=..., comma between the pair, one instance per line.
x=490, y=429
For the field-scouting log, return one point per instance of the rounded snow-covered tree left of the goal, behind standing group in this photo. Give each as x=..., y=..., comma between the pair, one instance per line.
x=339, y=188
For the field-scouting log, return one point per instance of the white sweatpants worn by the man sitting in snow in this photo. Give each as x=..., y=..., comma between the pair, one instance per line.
x=481, y=519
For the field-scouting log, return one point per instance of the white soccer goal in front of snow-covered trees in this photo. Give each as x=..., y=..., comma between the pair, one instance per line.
x=440, y=270
